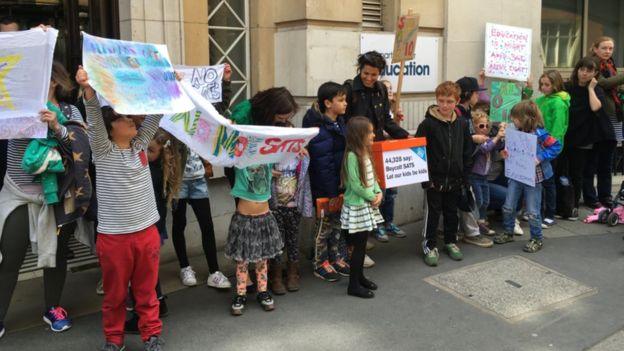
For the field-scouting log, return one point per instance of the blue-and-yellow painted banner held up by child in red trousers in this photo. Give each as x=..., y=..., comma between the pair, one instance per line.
x=135, y=78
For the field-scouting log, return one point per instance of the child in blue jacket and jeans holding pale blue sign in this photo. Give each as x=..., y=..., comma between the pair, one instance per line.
x=527, y=118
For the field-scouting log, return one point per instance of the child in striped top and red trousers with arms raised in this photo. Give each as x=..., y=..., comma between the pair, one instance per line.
x=128, y=244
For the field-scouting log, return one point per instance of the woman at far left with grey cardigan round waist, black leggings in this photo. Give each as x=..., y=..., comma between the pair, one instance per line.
x=22, y=208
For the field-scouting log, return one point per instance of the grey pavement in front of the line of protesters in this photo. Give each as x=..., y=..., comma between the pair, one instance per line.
x=566, y=297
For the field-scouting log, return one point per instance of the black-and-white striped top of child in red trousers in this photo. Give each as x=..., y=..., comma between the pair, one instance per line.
x=126, y=201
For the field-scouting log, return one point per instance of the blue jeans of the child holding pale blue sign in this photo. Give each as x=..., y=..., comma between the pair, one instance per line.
x=532, y=202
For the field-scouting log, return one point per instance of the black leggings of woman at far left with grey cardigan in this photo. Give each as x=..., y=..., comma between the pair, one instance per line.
x=14, y=244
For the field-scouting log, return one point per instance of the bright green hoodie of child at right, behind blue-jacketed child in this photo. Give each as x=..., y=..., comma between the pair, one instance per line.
x=554, y=108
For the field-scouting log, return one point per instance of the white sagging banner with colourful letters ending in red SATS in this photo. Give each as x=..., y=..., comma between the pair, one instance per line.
x=222, y=143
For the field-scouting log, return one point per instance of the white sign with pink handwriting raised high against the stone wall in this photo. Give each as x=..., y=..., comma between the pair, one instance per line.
x=507, y=52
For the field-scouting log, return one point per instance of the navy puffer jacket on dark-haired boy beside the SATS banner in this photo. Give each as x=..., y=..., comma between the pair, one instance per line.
x=326, y=153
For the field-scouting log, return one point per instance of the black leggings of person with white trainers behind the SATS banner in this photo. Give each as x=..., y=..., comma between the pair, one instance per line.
x=201, y=208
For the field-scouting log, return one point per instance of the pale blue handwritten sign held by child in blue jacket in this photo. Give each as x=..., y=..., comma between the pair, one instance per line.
x=522, y=148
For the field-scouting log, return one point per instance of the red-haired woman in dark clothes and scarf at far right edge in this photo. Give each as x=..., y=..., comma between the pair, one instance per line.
x=600, y=162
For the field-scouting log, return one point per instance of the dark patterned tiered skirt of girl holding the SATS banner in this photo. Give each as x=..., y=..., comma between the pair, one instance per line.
x=253, y=238
